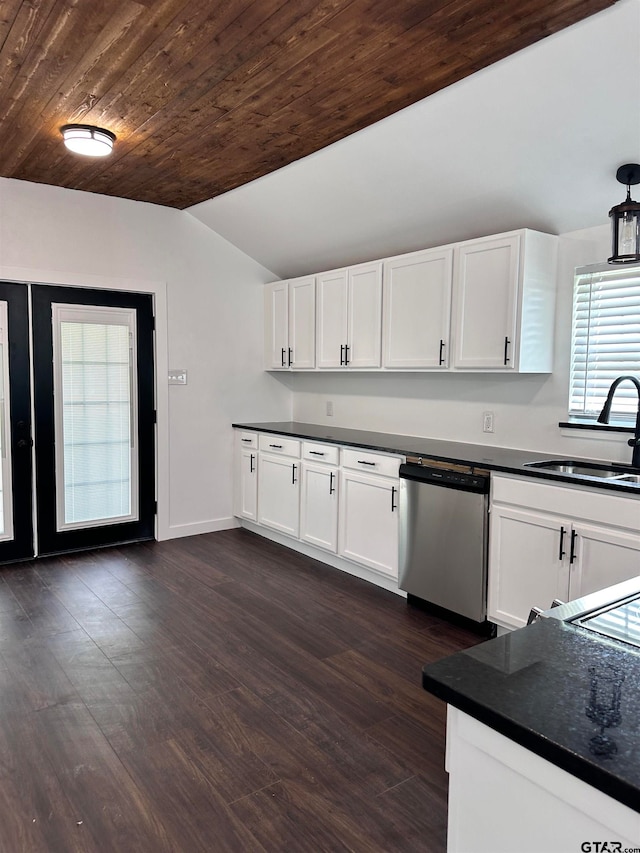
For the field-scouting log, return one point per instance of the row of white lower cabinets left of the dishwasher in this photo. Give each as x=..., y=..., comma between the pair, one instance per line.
x=342, y=501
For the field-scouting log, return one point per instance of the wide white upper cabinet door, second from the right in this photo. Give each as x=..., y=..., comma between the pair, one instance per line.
x=417, y=310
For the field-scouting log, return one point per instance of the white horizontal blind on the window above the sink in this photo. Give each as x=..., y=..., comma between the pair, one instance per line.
x=605, y=342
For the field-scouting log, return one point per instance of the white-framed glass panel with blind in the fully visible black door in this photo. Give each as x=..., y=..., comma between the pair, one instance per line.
x=95, y=412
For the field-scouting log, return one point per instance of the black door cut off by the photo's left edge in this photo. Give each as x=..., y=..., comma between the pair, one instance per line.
x=16, y=507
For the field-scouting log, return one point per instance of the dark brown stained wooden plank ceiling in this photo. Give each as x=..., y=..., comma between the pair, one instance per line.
x=206, y=95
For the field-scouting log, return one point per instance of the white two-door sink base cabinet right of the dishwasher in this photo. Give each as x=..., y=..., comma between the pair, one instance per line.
x=548, y=541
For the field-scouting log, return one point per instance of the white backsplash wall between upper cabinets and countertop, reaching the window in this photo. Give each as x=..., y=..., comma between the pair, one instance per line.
x=449, y=406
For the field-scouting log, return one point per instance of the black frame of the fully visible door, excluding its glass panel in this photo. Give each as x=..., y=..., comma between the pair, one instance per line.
x=51, y=541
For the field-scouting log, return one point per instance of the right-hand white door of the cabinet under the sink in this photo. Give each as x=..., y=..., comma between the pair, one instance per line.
x=603, y=557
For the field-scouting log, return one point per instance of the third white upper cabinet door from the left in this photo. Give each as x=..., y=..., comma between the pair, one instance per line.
x=331, y=319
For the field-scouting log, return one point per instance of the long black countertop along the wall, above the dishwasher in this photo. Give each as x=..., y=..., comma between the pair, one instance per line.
x=476, y=456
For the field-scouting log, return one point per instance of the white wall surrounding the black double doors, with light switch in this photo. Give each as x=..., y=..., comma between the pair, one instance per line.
x=212, y=293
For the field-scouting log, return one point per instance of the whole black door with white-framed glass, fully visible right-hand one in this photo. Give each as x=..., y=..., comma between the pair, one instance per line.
x=94, y=417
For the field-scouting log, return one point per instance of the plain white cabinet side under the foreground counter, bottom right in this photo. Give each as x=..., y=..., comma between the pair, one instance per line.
x=503, y=798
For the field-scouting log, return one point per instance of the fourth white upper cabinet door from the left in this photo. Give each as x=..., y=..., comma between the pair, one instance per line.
x=365, y=316
